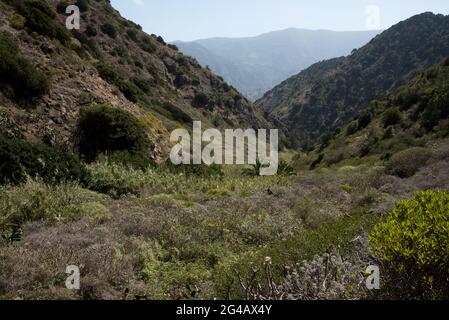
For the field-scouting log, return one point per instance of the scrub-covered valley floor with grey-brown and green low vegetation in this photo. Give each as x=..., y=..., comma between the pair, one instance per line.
x=299, y=237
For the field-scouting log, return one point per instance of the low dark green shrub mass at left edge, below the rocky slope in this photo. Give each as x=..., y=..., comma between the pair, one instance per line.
x=20, y=159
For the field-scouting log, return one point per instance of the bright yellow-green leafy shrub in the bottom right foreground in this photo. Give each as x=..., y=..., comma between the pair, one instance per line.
x=413, y=243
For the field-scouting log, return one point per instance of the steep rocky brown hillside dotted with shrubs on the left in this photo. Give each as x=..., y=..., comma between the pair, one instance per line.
x=109, y=60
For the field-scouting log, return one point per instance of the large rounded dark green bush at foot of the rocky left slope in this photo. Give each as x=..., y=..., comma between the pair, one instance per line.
x=102, y=128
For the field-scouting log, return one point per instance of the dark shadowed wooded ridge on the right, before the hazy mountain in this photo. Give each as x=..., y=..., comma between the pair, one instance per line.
x=328, y=94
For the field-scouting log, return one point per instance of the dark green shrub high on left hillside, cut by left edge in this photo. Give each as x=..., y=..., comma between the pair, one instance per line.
x=19, y=74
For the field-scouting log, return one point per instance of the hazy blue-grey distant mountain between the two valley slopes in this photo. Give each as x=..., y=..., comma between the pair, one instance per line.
x=256, y=64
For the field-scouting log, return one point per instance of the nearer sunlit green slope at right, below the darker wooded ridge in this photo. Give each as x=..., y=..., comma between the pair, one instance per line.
x=414, y=118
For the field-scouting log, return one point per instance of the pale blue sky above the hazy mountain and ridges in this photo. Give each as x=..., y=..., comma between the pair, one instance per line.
x=189, y=20
